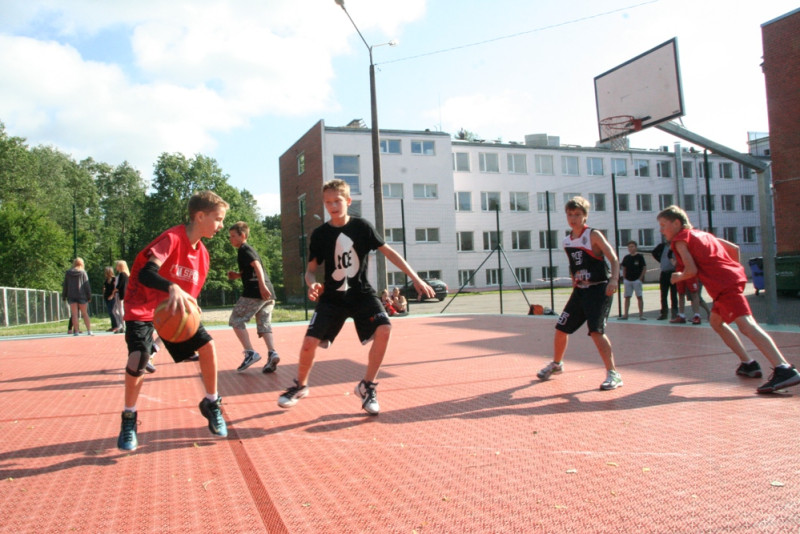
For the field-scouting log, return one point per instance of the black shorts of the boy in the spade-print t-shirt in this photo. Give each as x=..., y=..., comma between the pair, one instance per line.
x=366, y=311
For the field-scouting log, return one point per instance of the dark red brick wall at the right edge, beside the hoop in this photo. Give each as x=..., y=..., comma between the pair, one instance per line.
x=781, y=41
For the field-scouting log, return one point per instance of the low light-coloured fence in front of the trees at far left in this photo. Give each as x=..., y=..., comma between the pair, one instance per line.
x=20, y=306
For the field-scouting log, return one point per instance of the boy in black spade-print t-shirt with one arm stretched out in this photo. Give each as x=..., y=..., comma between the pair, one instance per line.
x=343, y=244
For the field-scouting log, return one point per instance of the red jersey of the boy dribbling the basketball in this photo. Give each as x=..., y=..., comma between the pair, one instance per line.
x=180, y=263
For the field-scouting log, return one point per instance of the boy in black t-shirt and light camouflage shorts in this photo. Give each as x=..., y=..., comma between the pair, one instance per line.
x=258, y=298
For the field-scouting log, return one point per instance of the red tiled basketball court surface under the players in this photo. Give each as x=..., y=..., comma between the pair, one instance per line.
x=468, y=440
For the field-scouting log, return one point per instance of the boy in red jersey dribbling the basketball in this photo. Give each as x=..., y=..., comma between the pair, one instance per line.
x=173, y=266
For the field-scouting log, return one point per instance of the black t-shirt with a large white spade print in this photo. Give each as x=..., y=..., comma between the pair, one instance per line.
x=344, y=250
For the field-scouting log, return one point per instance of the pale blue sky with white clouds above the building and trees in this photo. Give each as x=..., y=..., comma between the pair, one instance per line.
x=241, y=80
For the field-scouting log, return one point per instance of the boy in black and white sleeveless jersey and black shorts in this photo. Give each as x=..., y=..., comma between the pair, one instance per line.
x=592, y=292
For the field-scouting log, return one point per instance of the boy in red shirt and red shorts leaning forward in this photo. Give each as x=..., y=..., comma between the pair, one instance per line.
x=716, y=263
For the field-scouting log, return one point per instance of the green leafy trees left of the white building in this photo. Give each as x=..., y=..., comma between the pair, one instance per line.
x=52, y=207
